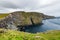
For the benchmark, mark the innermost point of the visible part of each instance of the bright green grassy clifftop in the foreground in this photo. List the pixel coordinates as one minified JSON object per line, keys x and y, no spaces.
{"x":17,"y":35}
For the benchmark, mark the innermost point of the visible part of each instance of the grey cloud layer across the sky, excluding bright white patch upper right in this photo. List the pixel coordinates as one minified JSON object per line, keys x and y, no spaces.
{"x":50,"y":9}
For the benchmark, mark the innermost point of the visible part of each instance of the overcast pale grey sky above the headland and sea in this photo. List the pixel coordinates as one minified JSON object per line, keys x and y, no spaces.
{"x":48,"y":7}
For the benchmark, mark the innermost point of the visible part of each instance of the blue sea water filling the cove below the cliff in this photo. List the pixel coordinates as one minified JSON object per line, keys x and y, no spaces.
{"x":49,"y":24}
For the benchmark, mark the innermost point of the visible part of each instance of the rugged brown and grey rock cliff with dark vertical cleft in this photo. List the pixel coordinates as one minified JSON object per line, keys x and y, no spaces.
{"x":21,"y":18}
